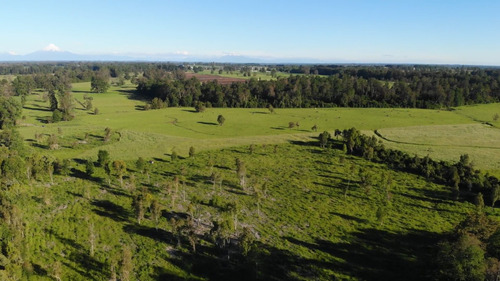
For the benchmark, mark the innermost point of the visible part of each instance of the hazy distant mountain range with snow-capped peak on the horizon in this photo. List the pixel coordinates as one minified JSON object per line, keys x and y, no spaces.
{"x":52,"y":54}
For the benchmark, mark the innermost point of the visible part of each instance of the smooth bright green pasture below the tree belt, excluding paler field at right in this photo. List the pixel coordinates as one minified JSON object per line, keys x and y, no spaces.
{"x":156,"y":132}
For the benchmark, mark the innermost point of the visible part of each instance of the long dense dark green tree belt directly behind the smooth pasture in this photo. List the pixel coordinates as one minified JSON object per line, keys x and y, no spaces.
{"x":420,"y":88}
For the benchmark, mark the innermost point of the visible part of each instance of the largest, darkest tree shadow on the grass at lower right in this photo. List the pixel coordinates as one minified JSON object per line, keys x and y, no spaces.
{"x":373,"y":254}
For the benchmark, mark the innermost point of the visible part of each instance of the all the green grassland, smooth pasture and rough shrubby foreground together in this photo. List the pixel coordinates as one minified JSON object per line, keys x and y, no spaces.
{"x":311,"y":214}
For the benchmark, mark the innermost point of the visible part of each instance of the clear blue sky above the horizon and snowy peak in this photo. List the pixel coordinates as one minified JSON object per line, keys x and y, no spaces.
{"x":402,"y":31}
